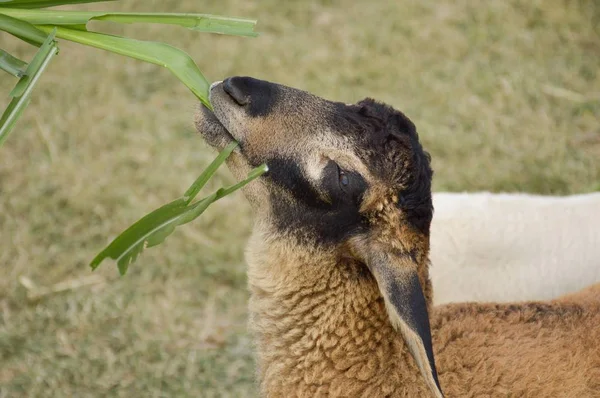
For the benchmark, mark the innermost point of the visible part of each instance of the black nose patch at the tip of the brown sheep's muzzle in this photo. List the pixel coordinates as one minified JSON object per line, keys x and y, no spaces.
{"x":258,"y":97}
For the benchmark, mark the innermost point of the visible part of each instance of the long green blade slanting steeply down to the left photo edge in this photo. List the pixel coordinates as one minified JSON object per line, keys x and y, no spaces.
{"x":25,"y":86}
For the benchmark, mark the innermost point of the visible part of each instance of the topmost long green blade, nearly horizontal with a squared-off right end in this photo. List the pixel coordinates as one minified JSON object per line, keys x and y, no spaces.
{"x":198,"y":22}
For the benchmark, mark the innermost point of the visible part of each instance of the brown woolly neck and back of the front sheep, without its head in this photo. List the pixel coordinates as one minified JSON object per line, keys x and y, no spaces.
{"x":322,"y":330}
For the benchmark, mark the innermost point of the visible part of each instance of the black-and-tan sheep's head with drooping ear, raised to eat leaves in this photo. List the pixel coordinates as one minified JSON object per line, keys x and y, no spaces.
{"x":349,"y":177}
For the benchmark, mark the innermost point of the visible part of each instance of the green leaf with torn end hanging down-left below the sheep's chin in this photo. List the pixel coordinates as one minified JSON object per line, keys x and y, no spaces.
{"x":155,"y":227}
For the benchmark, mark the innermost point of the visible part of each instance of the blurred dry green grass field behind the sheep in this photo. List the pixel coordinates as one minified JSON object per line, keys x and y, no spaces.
{"x":505,"y":94}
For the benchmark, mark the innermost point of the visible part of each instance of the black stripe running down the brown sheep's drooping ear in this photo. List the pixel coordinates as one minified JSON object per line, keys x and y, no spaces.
{"x":407,"y":298}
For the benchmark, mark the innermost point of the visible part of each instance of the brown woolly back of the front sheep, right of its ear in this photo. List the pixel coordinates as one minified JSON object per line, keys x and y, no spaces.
{"x":520,"y":350}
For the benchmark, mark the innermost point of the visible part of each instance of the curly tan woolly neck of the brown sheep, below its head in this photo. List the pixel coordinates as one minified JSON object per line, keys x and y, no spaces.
{"x":321,"y":326}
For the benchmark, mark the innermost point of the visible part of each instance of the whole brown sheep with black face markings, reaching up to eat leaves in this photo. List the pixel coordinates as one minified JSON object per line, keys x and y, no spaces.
{"x":338,"y":270}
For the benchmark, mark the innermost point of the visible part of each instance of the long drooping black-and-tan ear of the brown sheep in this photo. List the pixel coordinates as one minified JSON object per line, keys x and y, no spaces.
{"x":399,"y":284}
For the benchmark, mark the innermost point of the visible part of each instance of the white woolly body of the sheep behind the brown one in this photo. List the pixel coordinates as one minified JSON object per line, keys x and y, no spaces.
{"x":513,"y":247}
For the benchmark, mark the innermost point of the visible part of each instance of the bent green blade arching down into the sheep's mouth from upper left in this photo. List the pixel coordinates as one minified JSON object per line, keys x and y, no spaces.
{"x":177,"y":61}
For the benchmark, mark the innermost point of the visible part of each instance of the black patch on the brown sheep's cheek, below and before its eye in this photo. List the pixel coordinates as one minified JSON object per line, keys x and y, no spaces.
{"x":324,"y":219}
